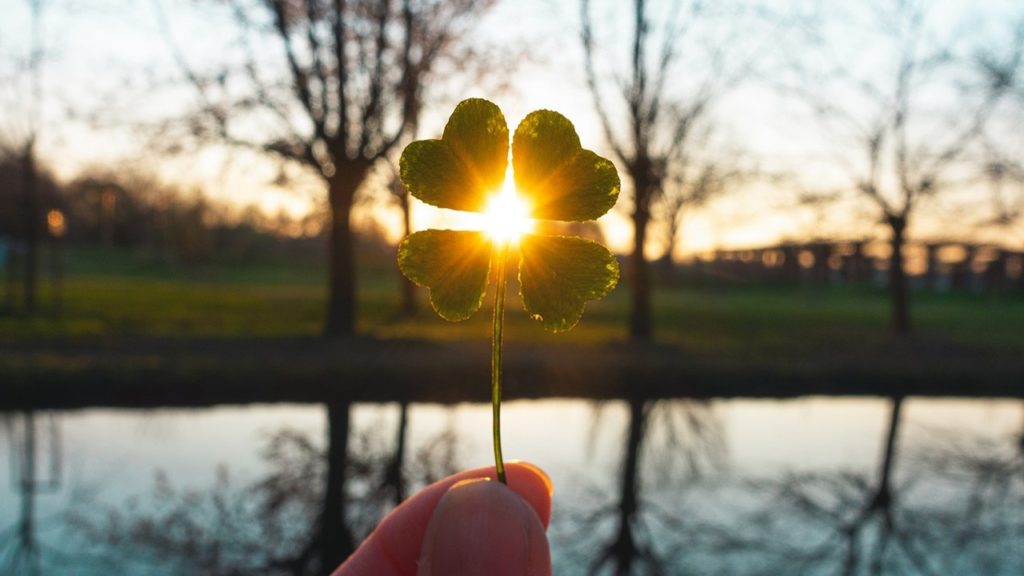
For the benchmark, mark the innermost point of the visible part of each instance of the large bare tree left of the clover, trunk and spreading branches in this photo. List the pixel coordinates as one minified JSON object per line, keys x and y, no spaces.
{"x":347,"y":93}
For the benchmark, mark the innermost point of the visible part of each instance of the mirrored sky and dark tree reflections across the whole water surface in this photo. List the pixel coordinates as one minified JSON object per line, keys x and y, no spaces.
{"x":668,"y":488}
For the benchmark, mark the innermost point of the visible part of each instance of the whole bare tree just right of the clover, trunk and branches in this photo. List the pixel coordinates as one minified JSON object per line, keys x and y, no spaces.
{"x":661,"y":117}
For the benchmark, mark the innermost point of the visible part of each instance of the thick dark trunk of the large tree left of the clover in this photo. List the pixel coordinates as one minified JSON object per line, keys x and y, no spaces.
{"x":342,"y":254}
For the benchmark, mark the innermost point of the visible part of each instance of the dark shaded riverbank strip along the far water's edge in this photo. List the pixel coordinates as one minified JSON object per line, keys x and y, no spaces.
{"x":161,"y":373}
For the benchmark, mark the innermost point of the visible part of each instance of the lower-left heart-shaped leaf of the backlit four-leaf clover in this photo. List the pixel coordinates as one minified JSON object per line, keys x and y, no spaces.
{"x":453,"y":265}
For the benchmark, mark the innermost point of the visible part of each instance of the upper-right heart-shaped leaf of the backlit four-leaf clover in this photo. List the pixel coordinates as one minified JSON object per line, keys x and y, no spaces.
{"x":560,"y":179}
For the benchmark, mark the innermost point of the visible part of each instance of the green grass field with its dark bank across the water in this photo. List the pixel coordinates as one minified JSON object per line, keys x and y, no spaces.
{"x":132,"y":332}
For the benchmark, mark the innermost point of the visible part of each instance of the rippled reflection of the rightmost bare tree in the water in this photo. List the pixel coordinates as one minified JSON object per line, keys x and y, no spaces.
{"x":958,"y":509}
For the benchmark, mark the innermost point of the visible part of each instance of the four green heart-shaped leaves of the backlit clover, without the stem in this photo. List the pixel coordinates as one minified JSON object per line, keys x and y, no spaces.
{"x":559,"y":179}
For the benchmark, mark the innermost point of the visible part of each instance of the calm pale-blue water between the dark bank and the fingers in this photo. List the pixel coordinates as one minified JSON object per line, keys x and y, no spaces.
{"x":731,"y":487}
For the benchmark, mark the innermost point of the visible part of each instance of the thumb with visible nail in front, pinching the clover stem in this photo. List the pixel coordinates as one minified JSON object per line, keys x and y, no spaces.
{"x":484,"y":528}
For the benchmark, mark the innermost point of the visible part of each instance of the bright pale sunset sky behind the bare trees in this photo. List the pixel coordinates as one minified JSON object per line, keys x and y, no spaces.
{"x":103,"y":59}
